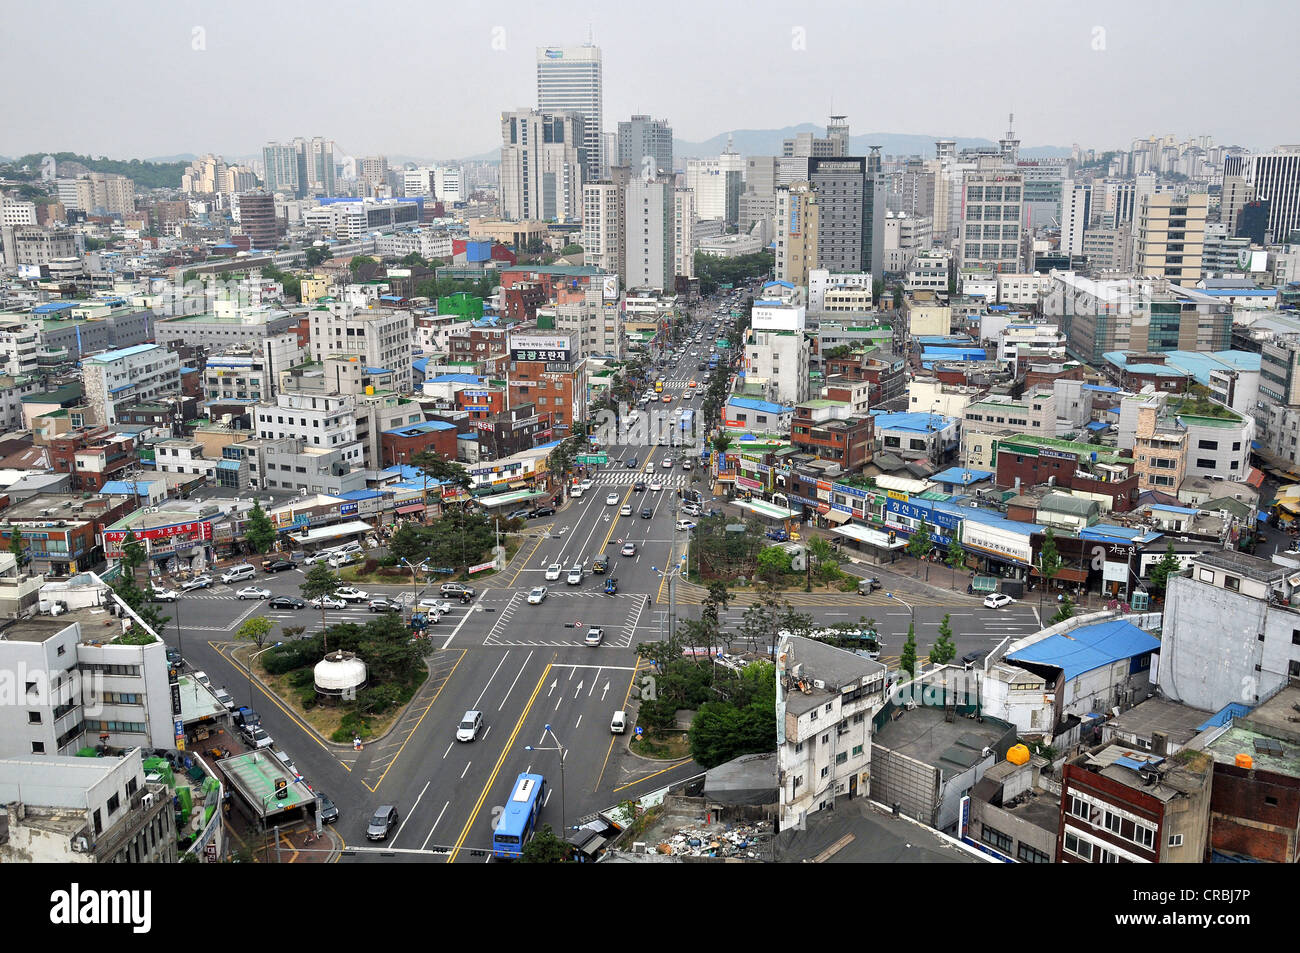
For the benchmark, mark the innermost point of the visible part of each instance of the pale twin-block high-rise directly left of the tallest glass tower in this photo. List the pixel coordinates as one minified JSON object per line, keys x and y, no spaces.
{"x":543,"y":162}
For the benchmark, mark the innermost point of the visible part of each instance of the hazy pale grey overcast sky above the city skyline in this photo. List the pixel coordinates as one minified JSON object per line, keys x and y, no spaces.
{"x":137,"y":79}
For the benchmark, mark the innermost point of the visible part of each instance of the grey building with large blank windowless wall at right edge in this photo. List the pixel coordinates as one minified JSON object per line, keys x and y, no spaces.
{"x":1229,"y":631}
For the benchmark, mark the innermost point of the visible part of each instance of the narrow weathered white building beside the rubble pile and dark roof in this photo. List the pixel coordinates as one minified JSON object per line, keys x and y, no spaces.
{"x":825,"y":704}
